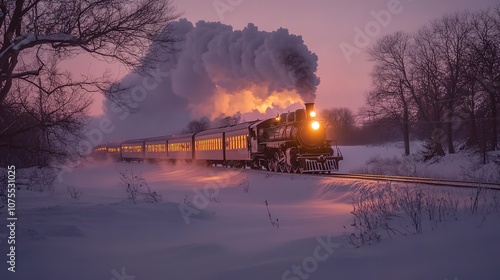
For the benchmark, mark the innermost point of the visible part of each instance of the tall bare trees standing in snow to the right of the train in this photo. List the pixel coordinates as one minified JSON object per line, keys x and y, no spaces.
{"x":441,"y":83}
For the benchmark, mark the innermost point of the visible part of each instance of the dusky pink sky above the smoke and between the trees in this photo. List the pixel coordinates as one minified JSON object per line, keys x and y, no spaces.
{"x":325,"y":26}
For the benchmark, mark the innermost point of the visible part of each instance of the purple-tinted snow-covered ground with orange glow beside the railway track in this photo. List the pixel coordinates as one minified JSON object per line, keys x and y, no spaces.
{"x":213,"y":223}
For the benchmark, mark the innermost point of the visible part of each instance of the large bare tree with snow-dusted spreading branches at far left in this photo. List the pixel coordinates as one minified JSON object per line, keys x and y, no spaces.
{"x":47,"y":105}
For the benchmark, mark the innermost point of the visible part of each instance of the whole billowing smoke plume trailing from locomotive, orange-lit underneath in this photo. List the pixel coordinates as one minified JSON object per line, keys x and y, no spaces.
{"x":220,"y":71}
